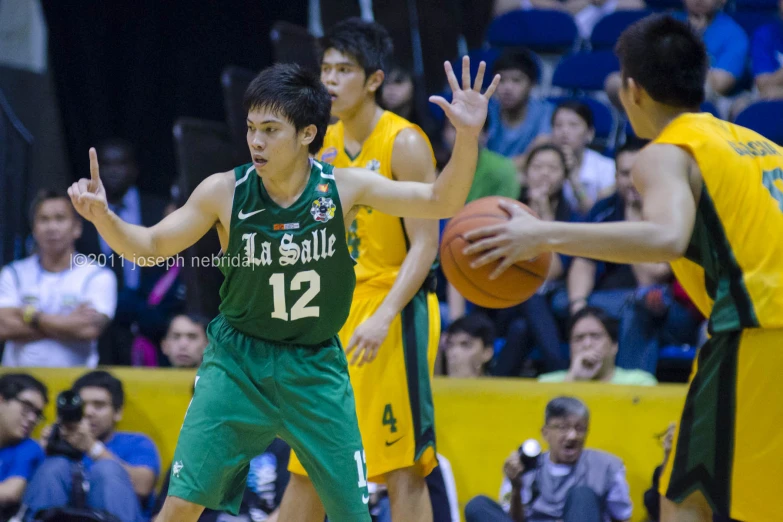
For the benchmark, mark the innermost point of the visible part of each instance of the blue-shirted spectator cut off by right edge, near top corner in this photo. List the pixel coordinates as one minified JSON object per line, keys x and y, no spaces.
{"x":767,"y":59}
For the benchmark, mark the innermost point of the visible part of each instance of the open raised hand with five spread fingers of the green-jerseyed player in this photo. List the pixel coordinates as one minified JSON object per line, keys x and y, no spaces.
{"x":468,"y":108}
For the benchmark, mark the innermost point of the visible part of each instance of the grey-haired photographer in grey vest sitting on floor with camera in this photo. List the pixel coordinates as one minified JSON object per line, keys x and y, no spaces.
{"x":568,"y":483}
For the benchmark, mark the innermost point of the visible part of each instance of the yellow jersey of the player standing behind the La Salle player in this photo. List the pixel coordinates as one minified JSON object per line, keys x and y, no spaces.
{"x":377,"y":242}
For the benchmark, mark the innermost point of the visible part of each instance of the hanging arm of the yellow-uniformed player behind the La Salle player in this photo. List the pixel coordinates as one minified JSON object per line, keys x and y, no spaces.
{"x":411,"y":161}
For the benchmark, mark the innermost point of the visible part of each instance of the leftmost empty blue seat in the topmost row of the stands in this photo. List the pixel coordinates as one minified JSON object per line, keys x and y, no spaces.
{"x":541,"y":30}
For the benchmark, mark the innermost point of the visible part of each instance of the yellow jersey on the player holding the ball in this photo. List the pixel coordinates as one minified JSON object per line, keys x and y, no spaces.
{"x":733,"y":267}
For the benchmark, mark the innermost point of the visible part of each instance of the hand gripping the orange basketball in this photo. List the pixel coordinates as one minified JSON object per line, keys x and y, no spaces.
{"x":518,"y":239}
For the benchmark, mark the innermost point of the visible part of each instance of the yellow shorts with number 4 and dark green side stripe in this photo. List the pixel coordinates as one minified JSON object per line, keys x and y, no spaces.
{"x":394,"y":393}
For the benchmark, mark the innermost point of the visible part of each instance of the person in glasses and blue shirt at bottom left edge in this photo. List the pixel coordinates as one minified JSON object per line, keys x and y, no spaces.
{"x":22,"y":400}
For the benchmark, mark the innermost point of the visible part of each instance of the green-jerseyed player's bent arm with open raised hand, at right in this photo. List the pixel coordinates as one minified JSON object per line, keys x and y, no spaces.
{"x":442,"y":199}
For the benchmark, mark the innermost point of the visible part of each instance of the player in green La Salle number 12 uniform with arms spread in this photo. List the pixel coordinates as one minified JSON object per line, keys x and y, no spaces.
{"x":274,"y":365}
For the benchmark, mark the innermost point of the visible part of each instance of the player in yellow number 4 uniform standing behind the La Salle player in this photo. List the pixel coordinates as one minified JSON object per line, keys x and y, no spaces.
{"x":391,"y":336}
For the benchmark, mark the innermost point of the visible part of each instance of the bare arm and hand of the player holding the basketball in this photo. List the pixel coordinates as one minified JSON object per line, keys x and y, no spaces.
{"x":661,"y":174}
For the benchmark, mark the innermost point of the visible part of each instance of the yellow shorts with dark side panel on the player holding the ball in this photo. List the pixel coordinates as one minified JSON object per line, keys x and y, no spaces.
{"x":729,"y":442}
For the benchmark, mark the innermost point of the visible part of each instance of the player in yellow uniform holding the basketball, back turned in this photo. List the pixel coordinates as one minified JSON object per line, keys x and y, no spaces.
{"x":712,"y":195}
